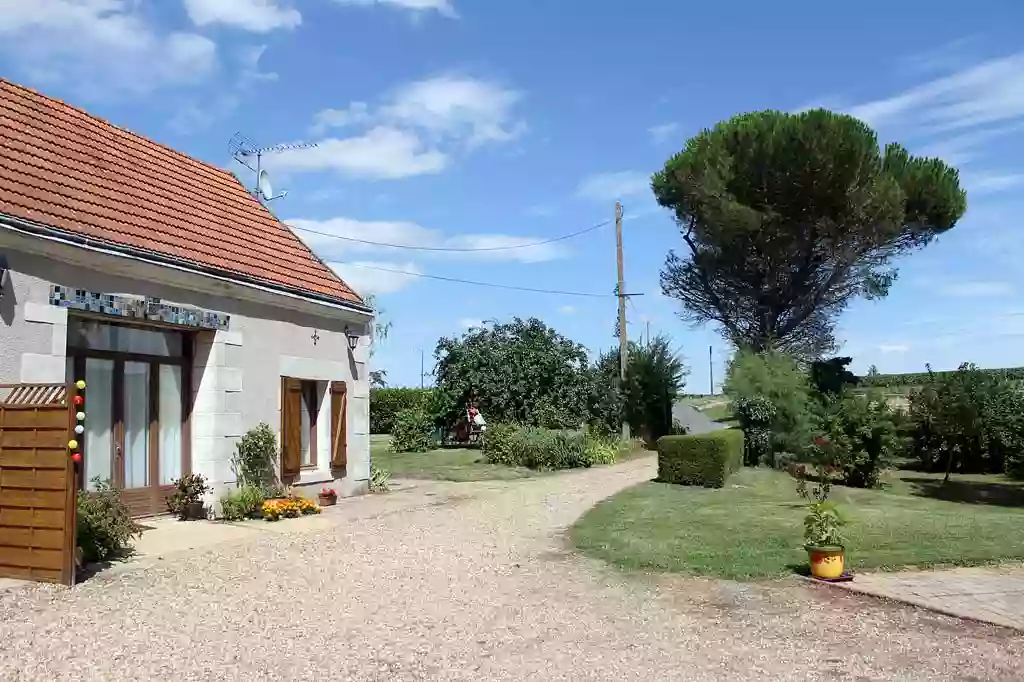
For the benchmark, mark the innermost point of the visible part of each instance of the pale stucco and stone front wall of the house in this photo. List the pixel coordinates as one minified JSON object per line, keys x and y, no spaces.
{"x":237,"y":373}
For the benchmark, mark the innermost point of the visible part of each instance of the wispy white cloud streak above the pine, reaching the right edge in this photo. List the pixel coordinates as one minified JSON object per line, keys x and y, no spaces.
{"x":985,"y":94}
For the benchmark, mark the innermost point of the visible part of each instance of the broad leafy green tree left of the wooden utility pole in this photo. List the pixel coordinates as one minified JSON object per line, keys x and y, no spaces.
{"x":522,"y":372}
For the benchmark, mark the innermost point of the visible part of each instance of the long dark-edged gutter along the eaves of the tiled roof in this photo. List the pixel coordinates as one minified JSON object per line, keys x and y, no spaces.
{"x":40,"y":231}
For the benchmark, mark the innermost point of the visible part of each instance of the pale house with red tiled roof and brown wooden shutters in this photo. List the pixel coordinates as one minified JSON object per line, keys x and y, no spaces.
{"x":190,"y":311}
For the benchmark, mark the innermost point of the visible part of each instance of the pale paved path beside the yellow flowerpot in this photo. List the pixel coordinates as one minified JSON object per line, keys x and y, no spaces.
{"x":992,"y":595}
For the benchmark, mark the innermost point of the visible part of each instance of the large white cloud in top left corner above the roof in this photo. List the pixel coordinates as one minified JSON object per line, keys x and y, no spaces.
{"x":101,"y":46}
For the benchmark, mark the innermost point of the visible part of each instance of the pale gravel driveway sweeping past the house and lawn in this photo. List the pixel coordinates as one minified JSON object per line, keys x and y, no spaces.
{"x":470,"y":582}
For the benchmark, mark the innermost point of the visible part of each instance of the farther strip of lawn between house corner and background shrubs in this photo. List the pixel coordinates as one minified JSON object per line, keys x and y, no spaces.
{"x":457,"y":464}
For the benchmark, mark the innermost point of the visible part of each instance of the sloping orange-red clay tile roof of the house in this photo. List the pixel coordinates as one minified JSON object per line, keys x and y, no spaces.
{"x":74,"y":173}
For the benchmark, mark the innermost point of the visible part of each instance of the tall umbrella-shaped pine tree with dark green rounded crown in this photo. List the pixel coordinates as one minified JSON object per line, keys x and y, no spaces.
{"x":789,"y":218}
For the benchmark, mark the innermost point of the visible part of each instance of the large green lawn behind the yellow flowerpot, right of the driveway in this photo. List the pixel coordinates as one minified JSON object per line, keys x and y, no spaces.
{"x":753,"y":528}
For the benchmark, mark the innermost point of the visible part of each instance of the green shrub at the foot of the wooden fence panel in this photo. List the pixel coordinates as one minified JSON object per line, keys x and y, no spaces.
{"x":105,"y":529}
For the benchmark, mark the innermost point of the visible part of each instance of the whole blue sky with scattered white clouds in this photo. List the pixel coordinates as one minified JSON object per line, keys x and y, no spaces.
{"x":485,"y":123}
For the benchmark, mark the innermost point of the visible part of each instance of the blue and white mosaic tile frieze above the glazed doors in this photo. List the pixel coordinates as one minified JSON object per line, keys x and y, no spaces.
{"x":152,"y":310}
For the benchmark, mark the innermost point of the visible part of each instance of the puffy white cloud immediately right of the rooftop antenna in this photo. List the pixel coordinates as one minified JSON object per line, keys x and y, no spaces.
{"x":382,"y":153}
